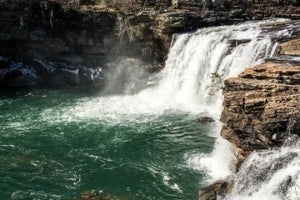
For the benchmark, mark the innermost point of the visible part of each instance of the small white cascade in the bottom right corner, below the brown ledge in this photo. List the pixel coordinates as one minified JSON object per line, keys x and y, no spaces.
{"x":270,"y":174}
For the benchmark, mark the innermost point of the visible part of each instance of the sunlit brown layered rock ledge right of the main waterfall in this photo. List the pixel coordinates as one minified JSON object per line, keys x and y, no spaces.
{"x":261,"y":106}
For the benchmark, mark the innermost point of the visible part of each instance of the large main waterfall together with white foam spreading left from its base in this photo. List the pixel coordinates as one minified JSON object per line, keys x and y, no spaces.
{"x":197,"y":65}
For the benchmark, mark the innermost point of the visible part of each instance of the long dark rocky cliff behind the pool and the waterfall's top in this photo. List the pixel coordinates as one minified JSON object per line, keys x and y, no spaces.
{"x":85,"y":35}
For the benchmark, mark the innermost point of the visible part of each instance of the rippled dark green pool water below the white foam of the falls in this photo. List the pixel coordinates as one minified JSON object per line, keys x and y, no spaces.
{"x":47,"y":152}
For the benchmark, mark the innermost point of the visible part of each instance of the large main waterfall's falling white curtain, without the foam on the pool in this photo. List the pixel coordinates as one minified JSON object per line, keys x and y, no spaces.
{"x":199,"y":62}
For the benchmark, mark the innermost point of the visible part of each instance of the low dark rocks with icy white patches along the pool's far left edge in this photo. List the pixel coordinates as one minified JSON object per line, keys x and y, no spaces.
{"x":49,"y":74}
